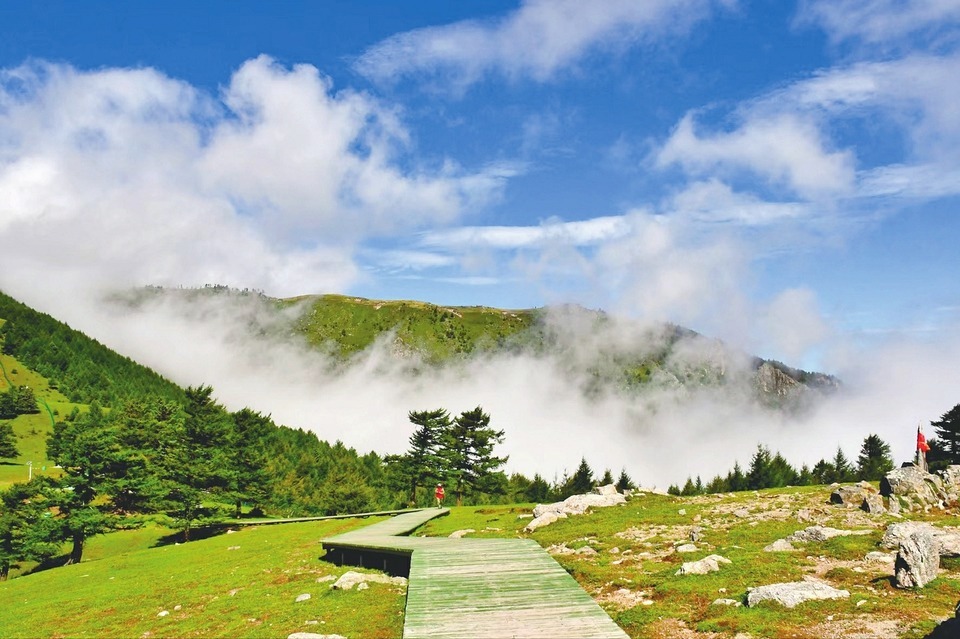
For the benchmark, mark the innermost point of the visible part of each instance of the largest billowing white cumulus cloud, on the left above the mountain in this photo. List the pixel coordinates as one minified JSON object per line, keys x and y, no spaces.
{"x":121,"y":177}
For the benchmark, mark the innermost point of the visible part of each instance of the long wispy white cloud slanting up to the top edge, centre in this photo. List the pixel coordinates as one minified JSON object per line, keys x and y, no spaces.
{"x":537,"y":40}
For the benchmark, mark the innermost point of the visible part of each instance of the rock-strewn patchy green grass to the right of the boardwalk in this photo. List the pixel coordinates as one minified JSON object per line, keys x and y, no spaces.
{"x":650,"y":526}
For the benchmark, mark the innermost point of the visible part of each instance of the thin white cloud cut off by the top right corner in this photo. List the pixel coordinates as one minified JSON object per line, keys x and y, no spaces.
{"x":883,"y":22}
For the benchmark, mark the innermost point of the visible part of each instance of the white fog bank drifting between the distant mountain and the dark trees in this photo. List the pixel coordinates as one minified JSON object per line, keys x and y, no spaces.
{"x":660,"y":435}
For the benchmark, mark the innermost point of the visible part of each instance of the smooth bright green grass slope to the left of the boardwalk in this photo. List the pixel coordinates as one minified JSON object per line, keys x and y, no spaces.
{"x":237,"y":585}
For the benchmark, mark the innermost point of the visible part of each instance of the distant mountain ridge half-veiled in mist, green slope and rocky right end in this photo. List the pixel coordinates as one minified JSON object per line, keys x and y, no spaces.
{"x":609,"y":352}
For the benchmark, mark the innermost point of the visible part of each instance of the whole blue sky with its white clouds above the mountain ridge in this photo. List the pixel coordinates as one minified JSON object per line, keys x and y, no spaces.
{"x":782,"y":175}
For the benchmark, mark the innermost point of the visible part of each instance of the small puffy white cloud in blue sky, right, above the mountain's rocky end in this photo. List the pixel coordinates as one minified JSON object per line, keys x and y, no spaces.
{"x":785,"y":150}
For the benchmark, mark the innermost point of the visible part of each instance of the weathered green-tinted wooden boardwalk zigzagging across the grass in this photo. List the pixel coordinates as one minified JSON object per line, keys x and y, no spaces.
{"x":479,"y":588}
